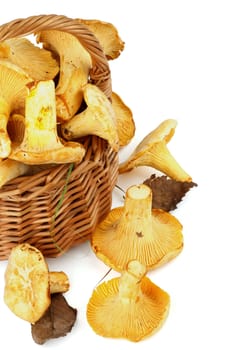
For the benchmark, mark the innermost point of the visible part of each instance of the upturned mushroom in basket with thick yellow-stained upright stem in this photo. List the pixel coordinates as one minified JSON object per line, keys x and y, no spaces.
{"x":41,"y":144}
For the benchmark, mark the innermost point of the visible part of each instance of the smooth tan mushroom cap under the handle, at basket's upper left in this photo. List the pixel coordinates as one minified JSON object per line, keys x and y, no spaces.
{"x":38,"y":63}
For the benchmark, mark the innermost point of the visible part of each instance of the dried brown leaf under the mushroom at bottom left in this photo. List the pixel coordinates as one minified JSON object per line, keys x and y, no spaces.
{"x":57,"y":321}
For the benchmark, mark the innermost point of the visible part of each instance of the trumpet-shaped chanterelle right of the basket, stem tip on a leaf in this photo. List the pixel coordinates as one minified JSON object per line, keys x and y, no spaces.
{"x":152,"y":151}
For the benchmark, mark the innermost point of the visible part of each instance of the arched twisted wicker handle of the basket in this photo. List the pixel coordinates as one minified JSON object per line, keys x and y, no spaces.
{"x":100,"y":73}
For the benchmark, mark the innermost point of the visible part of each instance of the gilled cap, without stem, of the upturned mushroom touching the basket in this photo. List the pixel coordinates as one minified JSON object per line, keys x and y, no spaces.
{"x":162,"y":243}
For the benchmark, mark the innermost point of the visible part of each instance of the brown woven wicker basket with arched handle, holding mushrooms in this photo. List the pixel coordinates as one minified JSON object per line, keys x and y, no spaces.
{"x":58,"y":208}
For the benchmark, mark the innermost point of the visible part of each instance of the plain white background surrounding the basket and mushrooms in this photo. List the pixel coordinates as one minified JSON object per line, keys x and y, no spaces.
{"x":182,"y":60}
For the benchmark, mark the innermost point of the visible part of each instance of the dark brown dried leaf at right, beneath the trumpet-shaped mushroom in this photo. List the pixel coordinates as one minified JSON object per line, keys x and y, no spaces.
{"x":167,"y":192}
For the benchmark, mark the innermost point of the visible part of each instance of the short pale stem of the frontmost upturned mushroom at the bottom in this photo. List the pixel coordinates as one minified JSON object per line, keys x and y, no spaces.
{"x":129,"y":284}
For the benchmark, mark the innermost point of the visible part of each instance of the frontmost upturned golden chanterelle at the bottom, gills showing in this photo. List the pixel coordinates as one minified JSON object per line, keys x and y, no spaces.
{"x":130,"y":307}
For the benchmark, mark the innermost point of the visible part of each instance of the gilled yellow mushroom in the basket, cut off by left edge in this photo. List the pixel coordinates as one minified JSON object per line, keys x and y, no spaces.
{"x":13,"y":92}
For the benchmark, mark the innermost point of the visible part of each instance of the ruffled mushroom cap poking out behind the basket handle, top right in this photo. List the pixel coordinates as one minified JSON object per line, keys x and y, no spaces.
{"x":107,"y":35}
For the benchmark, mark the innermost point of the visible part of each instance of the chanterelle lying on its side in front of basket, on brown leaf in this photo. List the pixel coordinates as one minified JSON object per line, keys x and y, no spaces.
{"x":28,"y":283}
